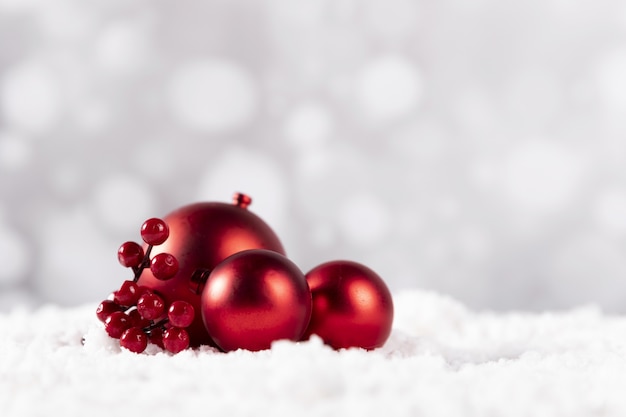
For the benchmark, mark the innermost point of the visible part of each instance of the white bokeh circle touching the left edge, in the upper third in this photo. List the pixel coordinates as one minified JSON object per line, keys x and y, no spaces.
{"x":30,"y":97}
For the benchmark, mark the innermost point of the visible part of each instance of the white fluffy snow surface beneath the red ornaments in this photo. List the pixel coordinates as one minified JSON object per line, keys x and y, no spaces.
{"x":442,"y":359}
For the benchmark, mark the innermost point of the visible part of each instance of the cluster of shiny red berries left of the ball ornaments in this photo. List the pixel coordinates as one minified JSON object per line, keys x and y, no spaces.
{"x":137,"y":315}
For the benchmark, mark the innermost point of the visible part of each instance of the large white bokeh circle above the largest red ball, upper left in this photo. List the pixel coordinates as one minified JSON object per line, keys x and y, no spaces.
{"x":212,"y":95}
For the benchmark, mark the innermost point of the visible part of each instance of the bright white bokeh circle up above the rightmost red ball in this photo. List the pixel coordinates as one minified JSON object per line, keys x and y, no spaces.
{"x":387,"y":88}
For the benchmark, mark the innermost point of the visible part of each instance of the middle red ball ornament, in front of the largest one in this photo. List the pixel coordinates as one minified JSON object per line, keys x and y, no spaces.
{"x":254,"y":298}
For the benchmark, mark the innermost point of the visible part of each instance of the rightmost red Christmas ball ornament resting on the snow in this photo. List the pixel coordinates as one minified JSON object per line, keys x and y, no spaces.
{"x":352,"y":306}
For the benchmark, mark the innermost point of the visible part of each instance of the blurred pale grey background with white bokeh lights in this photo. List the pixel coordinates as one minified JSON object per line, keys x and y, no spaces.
{"x":475,"y":148}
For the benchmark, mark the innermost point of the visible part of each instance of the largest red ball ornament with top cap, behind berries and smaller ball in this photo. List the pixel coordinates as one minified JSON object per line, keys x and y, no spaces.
{"x":202,"y":235}
